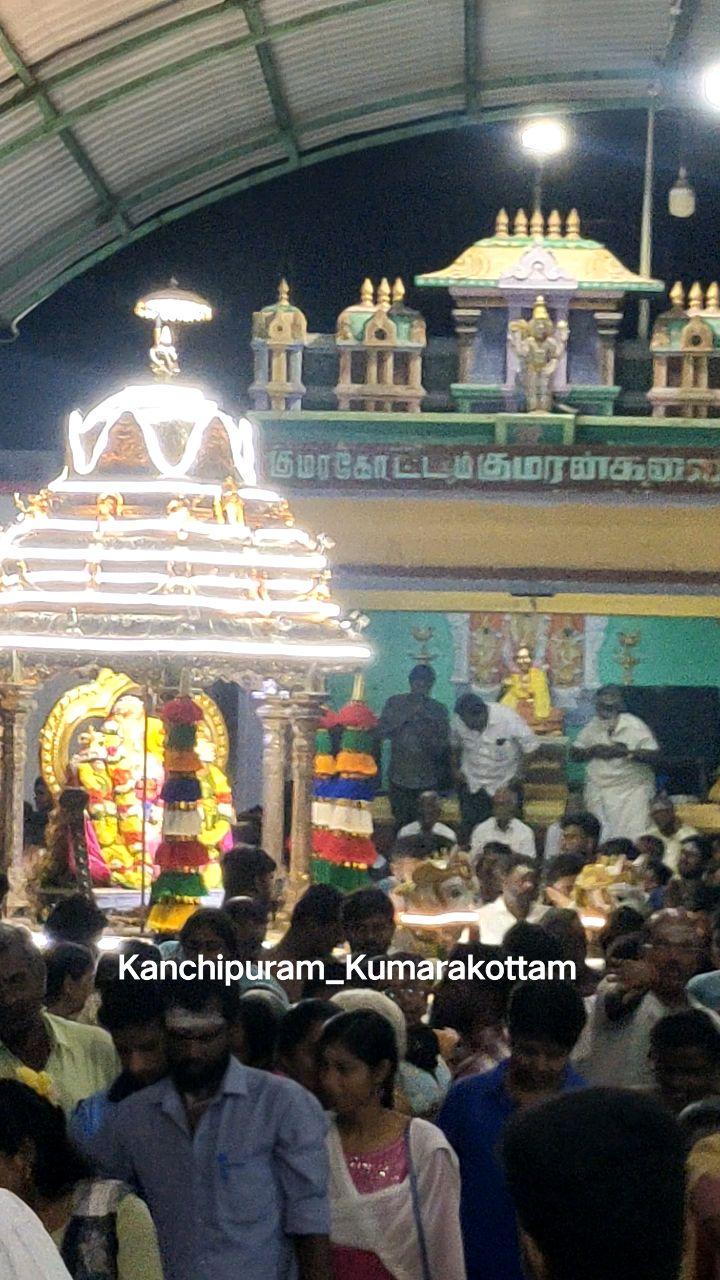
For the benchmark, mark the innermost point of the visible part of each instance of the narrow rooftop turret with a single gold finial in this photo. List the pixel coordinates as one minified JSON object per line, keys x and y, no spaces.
{"x":280,"y":335}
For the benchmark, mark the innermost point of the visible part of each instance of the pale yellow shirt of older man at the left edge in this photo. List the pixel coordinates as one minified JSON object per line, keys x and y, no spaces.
{"x":83,"y":1060}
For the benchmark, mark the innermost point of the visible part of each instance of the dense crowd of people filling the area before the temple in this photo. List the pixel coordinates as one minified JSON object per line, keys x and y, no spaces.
{"x":411,"y":1126}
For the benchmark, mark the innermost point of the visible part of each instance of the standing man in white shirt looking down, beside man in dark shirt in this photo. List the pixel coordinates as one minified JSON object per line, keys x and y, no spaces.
{"x":489,"y":744}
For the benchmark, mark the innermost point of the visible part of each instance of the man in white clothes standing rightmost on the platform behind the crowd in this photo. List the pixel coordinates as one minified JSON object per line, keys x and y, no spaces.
{"x":621,"y":752}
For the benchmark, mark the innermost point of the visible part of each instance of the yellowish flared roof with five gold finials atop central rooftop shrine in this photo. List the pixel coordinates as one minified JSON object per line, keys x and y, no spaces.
{"x":558,"y":253}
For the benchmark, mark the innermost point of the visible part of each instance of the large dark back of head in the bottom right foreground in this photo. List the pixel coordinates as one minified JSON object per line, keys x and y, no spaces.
{"x":598,"y":1178}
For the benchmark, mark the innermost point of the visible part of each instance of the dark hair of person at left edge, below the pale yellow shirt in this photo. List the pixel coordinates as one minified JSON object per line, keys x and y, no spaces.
{"x":28,"y":1118}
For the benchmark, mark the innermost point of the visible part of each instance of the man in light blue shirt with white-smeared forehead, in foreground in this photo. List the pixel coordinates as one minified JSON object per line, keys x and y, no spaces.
{"x":231,"y":1162}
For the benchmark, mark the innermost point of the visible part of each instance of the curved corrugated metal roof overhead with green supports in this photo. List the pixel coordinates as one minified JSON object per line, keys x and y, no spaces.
{"x":115,"y":111}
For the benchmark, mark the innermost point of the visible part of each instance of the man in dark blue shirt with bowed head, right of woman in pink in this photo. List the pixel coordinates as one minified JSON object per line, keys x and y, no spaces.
{"x":544,"y":1023}
